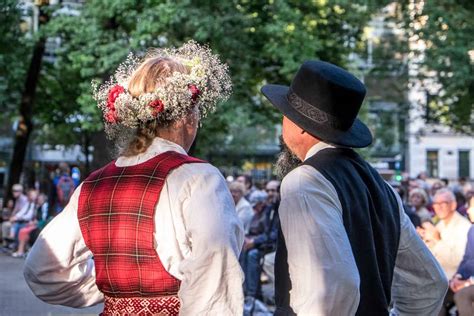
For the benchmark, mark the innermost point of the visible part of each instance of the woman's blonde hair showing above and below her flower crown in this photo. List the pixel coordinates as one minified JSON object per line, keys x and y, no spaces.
{"x":151,"y":74}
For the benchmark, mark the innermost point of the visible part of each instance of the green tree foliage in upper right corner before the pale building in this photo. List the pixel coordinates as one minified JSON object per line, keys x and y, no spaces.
{"x":446,"y":27}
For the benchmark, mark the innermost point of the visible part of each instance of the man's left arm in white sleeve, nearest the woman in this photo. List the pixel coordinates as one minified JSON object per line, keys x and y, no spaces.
{"x":323,"y":272}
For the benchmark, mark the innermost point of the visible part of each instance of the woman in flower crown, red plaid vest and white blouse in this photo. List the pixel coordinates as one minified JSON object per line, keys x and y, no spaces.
{"x":155,"y":231}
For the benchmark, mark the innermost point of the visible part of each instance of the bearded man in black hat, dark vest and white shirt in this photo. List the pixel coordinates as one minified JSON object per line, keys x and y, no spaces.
{"x":346,"y":246}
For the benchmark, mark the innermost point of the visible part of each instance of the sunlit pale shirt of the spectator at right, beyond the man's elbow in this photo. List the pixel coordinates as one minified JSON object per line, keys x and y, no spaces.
{"x":450,"y":249}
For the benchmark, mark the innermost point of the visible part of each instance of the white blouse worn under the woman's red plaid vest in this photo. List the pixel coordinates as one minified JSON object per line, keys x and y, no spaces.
{"x":199,"y":243}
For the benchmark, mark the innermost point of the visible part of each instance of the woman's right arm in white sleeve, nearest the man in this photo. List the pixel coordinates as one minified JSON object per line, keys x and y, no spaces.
{"x":212,"y":277}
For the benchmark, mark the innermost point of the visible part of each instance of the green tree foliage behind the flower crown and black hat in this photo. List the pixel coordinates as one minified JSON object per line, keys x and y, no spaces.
{"x":262,"y":41}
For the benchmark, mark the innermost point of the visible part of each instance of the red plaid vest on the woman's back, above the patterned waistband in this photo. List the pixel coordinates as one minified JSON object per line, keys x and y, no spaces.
{"x":116,"y":216}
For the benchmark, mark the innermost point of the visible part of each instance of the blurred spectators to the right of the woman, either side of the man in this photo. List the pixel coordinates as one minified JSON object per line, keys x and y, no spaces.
{"x":441,"y":213}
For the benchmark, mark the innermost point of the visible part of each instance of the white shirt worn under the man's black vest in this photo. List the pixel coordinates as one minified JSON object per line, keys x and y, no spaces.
{"x":323,"y":272}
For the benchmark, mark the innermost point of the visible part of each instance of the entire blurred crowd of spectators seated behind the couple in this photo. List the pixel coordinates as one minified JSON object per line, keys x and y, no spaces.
{"x":441,"y":213}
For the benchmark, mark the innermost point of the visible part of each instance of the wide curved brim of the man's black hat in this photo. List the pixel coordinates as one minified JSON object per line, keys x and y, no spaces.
{"x":357,"y":136}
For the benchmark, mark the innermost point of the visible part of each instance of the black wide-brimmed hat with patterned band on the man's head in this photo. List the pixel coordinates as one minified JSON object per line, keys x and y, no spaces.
{"x":324,"y":100}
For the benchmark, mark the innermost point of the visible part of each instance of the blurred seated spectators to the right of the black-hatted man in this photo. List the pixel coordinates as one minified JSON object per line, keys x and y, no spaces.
{"x":443,"y":215}
